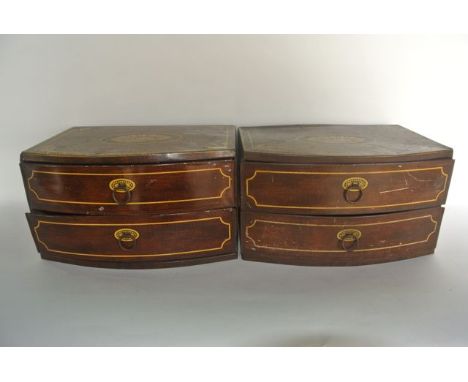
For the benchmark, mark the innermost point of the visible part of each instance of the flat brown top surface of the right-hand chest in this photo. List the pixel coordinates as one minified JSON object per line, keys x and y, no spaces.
{"x":338,"y":144}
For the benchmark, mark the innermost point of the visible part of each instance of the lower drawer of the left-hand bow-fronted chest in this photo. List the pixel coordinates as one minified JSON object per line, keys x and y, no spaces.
{"x":136,"y":241}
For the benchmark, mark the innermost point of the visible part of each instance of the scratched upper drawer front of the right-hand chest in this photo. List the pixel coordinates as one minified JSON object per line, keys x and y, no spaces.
{"x":345,"y":189}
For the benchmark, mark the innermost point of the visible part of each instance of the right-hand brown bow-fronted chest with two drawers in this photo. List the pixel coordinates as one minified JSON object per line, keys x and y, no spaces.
{"x":340,"y":194}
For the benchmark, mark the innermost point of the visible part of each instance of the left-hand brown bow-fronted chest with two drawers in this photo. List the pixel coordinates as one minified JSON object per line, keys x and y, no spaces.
{"x":134,"y":197}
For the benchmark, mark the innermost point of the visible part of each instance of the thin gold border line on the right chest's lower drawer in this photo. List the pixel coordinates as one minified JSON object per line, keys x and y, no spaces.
{"x":342,"y":226}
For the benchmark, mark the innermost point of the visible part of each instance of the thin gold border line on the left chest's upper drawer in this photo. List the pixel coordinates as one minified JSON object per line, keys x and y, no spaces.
{"x":127,"y":174}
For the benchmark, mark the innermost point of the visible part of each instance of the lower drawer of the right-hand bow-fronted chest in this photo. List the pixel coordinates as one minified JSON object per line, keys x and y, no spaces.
{"x":340,"y":240}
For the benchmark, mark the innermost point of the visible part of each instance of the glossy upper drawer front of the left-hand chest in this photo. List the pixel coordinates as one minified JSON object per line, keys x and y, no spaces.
{"x":130,"y":189}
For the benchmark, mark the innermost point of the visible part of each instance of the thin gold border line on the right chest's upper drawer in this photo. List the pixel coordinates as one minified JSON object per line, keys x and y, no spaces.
{"x":344,"y":173}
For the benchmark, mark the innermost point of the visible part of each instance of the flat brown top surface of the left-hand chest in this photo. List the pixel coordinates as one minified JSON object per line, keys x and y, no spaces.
{"x":135,"y":144}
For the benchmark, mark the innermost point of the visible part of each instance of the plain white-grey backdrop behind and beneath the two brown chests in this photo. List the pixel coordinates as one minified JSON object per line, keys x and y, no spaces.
{"x":49,"y":83}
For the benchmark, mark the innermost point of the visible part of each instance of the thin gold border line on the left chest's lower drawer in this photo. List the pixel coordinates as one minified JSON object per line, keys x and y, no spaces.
{"x":39,"y":222}
